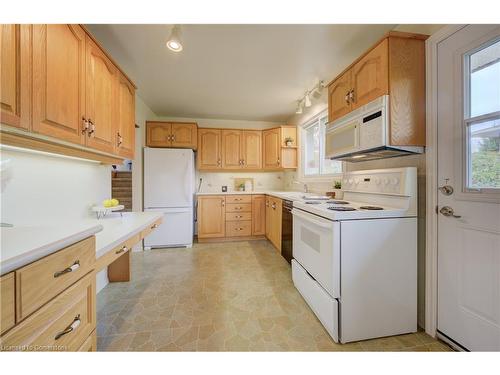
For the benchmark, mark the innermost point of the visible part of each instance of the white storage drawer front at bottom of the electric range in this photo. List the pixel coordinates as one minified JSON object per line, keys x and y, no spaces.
{"x":324,"y":306}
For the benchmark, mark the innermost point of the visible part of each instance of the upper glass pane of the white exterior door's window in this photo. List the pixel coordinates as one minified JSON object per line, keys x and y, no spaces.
{"x":485,"y":80}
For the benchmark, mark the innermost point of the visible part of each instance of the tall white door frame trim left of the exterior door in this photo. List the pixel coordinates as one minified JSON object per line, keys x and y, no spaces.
{"x":431,"y":274}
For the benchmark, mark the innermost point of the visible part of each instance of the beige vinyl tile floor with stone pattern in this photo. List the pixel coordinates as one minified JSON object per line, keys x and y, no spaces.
{"x":233,"y":296}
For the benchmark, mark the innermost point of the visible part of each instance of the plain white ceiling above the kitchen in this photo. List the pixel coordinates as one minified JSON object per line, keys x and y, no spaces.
{"x":239,"y":72}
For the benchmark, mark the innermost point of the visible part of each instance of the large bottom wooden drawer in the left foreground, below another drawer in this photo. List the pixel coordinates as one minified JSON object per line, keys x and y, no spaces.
{"x":49,"y":329}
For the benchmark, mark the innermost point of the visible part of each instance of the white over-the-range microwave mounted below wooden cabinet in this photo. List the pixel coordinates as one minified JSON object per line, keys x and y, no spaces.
{"x":363,"y":135}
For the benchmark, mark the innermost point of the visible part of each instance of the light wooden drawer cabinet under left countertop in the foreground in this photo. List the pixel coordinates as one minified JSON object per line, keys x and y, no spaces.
{"x":50,"y":304}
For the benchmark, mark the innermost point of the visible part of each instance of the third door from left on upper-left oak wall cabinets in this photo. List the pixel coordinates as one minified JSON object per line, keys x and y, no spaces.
{"x":100,"y":98}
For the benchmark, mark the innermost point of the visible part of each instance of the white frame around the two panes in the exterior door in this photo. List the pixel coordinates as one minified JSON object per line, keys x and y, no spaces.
{"x":468,"y":121}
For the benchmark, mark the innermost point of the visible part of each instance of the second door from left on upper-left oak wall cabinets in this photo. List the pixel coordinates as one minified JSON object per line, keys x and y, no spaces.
{"x":59,"y":81}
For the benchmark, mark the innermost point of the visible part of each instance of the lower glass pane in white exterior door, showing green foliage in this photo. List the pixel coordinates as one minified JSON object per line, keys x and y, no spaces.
{"x":484,"y":154}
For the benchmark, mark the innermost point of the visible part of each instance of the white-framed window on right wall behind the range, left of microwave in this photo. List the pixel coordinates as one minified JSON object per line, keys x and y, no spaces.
{"x":313,"y":159}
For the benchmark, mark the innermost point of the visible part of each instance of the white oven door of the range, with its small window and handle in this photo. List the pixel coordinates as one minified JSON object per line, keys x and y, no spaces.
{"x":316,"y":246}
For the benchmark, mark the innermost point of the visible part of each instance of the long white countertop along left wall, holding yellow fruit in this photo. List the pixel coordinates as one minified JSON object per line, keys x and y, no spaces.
{"x":24,"y":244}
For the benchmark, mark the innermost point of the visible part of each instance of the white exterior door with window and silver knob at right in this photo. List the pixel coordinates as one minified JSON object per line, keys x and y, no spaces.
{"x":468,"y":209}
